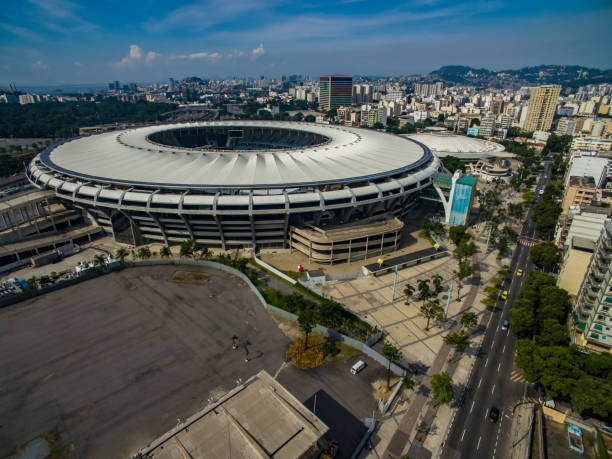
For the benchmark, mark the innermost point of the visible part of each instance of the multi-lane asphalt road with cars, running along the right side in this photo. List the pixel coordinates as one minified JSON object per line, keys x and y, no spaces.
{"x":494,"y":381}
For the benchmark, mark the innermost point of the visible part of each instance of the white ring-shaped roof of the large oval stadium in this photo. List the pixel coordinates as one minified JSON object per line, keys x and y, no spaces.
{"x":128,"y":157}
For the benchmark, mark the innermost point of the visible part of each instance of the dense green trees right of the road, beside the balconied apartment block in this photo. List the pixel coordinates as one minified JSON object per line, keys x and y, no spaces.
{"x":564,"y":371}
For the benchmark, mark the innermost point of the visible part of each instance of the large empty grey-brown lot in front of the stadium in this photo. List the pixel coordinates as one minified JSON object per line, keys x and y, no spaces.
{"x":113,"y":362}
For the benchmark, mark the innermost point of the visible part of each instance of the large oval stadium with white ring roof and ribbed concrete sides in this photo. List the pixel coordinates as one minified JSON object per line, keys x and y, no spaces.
{"x":333,"y":192}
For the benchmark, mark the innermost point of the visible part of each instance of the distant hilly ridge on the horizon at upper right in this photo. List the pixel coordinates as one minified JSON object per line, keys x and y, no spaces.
{"x":566,"y":75}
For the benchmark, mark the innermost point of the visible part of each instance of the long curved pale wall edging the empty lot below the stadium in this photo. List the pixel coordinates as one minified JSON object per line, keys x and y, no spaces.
{"x":117,"y":266}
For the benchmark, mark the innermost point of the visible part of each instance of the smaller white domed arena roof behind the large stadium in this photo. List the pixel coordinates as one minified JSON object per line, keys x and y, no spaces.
{"x":446,"y":144}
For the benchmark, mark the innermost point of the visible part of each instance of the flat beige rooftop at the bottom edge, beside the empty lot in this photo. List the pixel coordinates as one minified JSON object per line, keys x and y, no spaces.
{"x":257,"y":419}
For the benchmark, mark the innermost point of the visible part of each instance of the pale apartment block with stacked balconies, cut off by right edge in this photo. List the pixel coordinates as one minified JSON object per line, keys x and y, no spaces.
{"x":592,"y":313}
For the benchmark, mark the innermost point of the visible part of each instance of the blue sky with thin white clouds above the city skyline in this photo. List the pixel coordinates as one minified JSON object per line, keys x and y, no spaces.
{"x":45,"y":42}
